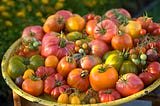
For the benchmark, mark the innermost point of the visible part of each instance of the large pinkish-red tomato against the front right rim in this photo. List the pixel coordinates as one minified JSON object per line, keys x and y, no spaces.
{"x":129,"y":84}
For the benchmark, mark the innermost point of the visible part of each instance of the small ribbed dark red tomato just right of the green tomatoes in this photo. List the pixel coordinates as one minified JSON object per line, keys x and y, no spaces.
{"x":44,"y":72}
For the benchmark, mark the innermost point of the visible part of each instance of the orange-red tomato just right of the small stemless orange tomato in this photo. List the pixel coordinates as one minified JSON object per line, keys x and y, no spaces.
{"x":65,"y":65}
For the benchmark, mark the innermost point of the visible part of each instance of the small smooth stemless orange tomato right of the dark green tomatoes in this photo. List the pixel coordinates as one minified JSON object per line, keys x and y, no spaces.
{"x":51,"y":61}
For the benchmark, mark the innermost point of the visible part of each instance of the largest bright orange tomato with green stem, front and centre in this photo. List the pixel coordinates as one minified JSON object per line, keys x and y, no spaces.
{"x":103,"y":77}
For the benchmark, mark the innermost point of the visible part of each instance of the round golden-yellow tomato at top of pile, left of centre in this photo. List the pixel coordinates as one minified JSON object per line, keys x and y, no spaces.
{"x":75,"y":23}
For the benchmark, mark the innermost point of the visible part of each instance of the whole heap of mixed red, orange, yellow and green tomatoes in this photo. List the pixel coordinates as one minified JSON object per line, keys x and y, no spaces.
{"x":89,"y":59}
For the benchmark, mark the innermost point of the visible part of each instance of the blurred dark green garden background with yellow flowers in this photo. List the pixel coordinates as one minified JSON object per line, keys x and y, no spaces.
{"x":15,"y":15}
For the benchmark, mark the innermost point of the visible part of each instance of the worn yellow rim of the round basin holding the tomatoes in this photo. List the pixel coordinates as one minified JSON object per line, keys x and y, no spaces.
{"x":42,"y":100}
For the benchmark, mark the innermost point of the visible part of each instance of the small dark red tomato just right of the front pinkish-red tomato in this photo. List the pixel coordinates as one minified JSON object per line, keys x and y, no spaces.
{"x":147,"y":77}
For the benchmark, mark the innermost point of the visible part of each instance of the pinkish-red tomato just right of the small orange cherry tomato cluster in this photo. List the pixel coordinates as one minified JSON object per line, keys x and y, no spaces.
{"x":96,"y":47}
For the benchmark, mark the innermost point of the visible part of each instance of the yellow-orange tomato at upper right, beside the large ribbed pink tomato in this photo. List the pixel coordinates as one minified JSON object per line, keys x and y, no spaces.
{"x":133,"y":28}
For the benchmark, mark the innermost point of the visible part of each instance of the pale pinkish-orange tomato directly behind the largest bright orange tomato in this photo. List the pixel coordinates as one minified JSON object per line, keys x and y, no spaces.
{"x":89,"y":61}
